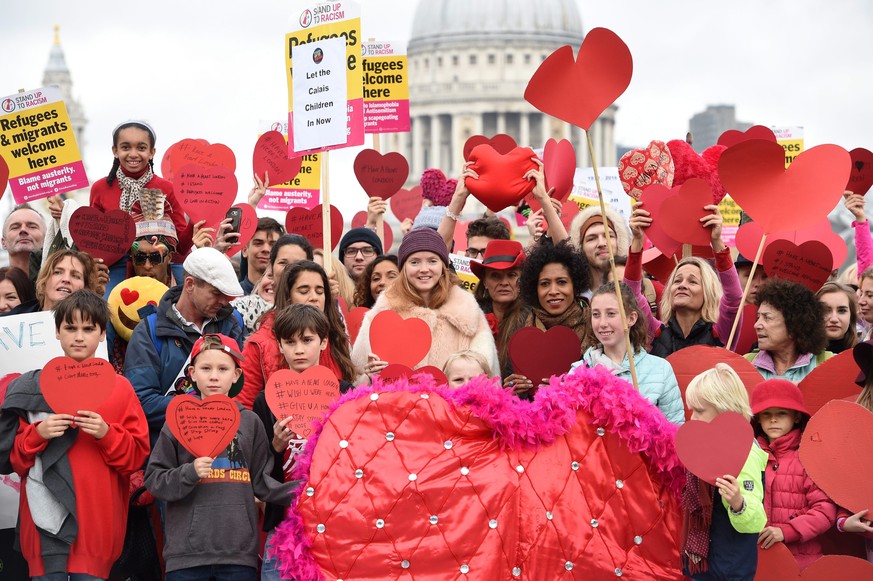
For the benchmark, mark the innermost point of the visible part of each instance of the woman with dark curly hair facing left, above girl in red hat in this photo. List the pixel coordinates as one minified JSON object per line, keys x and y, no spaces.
{"x":790,"y":329}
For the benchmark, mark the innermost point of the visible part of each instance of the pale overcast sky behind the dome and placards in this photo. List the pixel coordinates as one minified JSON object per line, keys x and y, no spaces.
{"x":212,"y":69}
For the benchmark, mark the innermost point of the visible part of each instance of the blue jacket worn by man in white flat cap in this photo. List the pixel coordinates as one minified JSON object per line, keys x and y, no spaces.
{"x":152,"y":374}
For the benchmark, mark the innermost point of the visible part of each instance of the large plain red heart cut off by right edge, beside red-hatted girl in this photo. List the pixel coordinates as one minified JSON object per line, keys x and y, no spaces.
{"x":835,"y":451}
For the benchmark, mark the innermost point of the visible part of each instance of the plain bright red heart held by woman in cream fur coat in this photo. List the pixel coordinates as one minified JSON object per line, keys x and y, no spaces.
{"x":397,"y":340}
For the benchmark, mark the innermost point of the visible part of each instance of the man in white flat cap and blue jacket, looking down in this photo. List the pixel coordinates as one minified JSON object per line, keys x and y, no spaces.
{"x":161,"y":344}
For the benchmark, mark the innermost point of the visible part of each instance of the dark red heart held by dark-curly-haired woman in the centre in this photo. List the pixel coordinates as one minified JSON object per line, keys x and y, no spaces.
{"x":538,"y":355}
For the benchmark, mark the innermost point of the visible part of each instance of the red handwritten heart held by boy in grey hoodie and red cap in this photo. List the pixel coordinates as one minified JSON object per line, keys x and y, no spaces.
{"x":204,"y":427}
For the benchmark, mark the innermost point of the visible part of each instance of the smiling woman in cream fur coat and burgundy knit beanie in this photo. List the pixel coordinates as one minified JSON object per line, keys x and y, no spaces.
{"x":426,"y":289}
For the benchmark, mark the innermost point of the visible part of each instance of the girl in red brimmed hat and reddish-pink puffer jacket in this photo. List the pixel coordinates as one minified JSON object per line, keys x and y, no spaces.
{"x":797,"y":510}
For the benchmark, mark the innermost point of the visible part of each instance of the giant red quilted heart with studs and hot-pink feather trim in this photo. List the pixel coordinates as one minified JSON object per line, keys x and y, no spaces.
{"x":405,"y":481}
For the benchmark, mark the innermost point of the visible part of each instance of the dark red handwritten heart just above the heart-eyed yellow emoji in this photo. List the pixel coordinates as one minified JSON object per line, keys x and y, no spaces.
{"x":102,"y":235}
